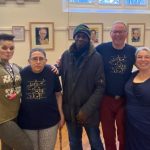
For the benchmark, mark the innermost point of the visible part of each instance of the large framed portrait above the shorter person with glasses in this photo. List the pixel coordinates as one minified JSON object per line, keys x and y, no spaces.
{"x":42,"y":35}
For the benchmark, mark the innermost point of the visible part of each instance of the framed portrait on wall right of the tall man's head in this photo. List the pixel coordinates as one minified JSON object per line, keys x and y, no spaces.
{"x":136,"y":34}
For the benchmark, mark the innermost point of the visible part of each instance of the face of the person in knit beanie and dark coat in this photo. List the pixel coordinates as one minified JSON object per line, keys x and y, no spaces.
{"x":81,"y":40}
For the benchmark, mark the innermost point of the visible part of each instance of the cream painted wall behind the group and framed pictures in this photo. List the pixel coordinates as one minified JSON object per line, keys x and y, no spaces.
{"x":12,"y":14}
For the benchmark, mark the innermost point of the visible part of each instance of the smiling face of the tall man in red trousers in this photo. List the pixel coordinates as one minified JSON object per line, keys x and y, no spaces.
{"x":118,"y":34}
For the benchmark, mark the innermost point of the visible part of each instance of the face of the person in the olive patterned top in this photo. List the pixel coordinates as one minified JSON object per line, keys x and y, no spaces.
{"x":6,"y":50}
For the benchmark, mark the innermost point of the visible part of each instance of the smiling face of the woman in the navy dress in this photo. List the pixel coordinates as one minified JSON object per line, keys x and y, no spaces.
{"x":143,"y":60}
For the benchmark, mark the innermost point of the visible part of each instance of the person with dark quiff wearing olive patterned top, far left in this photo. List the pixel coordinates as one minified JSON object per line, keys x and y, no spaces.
{"x":11,"y":134}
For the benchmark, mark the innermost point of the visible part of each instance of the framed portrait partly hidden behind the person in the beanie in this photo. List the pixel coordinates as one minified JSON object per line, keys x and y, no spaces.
{"x":96,"y":32}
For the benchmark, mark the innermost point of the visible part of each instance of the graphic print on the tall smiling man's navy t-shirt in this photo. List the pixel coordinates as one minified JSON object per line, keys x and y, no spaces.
{"x":118,"y":64}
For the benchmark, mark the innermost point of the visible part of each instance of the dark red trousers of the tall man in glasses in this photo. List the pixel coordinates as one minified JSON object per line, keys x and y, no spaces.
{"x":113,"y":121}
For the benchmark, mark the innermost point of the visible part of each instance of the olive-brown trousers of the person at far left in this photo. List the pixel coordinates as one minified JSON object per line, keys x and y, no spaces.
{"x":13,"y":137}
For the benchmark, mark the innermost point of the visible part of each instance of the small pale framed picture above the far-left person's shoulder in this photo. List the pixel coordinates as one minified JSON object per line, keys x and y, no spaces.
{"x":19,"y":33}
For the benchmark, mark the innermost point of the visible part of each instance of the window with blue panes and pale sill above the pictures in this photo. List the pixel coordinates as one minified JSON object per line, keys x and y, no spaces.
{"x":107,"y":6}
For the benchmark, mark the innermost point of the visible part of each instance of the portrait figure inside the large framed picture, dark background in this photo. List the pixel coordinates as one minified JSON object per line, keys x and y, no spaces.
{"x":42,"y":37}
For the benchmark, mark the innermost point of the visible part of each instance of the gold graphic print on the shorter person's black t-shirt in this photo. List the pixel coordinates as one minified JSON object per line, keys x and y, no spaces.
{"x":36,"y":89}
